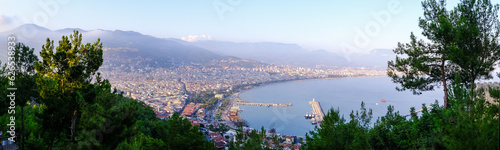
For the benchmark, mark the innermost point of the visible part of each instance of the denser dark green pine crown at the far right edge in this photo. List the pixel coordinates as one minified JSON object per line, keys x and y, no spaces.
{"x":477,"y":48}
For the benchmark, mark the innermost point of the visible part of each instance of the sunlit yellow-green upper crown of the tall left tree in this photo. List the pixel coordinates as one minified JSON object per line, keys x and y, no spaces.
{"x":72,"y":65}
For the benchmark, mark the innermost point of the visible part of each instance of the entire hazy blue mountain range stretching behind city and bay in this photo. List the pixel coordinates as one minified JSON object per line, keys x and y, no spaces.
{"x":171,"y":52}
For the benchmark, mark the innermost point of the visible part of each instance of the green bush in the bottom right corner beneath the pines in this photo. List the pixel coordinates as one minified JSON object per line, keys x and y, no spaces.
{"x":470,"y":124}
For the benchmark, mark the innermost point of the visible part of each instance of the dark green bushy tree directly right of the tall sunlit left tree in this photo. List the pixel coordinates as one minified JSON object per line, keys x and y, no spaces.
{"x":108,"y":120}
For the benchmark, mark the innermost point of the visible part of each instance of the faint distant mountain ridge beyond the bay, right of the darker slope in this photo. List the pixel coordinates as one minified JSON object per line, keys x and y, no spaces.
{"x":293,"y":54}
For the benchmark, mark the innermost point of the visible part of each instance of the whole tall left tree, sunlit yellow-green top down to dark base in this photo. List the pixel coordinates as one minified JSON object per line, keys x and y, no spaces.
{"x":64,"y":83}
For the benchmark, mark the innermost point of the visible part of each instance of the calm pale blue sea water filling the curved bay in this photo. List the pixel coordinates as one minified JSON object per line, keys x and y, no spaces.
{"x":345,"y":94}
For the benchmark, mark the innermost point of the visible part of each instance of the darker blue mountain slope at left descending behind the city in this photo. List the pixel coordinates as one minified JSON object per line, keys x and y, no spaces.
{"x":118,"y":43}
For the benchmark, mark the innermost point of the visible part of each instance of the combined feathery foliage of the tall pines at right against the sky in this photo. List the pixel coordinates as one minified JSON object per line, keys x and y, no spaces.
{"x":463,"y":40}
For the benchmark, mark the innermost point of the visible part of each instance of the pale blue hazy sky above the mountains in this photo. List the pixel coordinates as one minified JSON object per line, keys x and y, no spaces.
{"x":332,"y":25}
